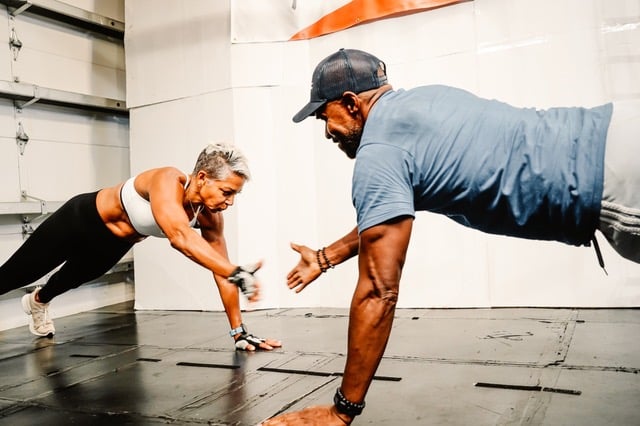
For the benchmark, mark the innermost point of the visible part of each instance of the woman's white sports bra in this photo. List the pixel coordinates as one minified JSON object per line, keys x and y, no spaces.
{"x":139,"y":210}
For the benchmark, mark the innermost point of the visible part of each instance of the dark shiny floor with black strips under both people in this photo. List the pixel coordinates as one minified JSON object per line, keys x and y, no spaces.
{"x":442,"y":367}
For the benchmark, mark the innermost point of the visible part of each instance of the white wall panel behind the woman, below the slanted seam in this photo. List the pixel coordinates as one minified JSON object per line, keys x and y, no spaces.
{"x":165,"y":279}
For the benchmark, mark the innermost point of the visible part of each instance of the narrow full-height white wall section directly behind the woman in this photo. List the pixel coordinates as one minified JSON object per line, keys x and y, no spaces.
{"x":180,"y":98}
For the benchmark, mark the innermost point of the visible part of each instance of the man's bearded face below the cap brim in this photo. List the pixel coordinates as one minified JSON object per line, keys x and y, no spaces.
{"x":341,"y":127}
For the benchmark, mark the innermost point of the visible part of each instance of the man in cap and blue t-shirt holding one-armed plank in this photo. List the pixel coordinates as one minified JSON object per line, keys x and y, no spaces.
{"x":520,"y":172}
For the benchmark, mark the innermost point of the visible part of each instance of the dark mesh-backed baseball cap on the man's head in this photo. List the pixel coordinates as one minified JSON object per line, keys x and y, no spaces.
{"x":345,"y":70}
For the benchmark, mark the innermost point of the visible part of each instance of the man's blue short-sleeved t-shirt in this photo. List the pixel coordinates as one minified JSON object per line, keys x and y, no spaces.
{"x":512,"y":171}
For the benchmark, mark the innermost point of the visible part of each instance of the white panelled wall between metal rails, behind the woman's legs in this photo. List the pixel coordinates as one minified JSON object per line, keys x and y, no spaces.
{"x":69,"y":150}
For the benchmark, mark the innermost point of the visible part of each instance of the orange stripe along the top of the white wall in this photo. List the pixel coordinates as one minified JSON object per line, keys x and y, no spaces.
{"x":359,"y":12}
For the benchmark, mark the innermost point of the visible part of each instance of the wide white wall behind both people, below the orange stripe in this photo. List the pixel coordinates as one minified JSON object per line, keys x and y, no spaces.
{"x":188,"y":85}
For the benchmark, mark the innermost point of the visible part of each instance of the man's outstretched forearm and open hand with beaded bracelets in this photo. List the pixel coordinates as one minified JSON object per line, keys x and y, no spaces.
{"x":309,"y":265}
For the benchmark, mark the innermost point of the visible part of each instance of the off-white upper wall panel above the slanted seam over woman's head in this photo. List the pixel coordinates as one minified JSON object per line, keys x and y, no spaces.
{"x":175,"y":49}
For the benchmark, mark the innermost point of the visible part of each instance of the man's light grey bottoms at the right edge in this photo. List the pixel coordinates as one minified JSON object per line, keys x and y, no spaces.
{"x":620,"y":214}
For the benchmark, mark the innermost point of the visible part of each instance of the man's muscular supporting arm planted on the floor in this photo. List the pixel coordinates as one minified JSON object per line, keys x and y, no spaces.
{"x":382,"y":254}
